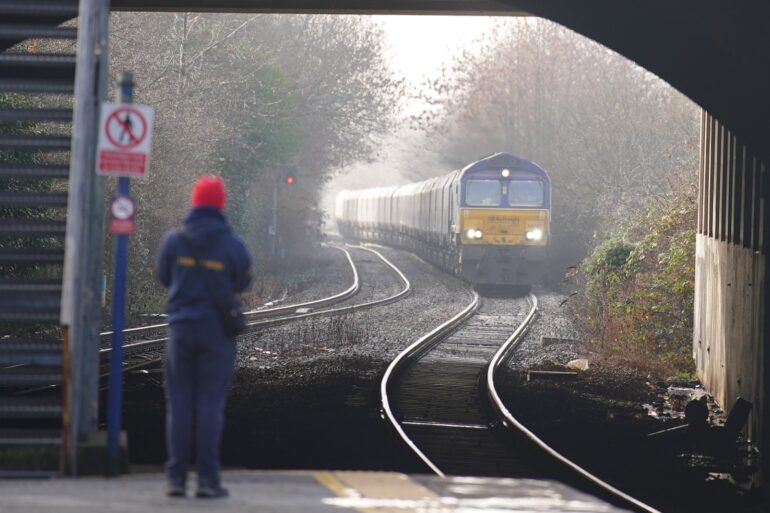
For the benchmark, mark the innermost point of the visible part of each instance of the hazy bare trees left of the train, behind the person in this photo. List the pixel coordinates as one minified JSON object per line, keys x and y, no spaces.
{"x":245,"y":97}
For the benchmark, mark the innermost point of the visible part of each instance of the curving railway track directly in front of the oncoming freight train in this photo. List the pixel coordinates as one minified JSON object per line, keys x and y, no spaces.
{"x":440,"y":396}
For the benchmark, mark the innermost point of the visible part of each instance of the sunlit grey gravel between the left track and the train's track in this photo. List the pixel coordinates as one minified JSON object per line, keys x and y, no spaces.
{"x":379,"y":333}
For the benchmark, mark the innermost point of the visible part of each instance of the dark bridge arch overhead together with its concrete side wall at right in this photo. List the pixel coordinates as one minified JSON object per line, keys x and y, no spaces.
{"x":717,"y":53}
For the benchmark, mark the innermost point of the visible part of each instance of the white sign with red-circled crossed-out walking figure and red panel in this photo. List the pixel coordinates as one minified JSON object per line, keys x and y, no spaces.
{"x":125,"y":136}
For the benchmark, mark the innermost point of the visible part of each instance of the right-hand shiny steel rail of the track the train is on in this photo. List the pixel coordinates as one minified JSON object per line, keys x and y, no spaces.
{"x":510,"y":421}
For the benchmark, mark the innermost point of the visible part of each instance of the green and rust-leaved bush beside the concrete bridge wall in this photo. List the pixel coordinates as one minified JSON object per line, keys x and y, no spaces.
{"x":639,"y":297}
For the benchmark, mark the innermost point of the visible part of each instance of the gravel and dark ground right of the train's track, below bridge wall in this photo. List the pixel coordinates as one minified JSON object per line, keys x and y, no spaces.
{"x":601,"y":418}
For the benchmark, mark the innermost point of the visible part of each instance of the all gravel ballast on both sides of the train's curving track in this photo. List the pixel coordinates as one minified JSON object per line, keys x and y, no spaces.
{"x":306,"y":394}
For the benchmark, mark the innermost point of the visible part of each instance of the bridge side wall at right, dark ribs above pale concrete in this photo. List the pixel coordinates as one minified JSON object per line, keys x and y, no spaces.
{"x":731,"y":338}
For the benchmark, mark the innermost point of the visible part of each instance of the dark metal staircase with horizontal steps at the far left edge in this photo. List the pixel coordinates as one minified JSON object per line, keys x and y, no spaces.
{"x":37,"y":76}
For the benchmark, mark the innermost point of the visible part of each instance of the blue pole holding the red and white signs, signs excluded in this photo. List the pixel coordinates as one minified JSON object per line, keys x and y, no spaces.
{"x":115,"y":395}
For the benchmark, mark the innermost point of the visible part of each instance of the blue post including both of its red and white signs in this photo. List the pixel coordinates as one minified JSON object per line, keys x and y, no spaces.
{"x":123,"y":151}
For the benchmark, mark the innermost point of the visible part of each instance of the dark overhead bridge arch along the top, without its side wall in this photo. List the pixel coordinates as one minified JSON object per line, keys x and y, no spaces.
{"x":714,"y":51}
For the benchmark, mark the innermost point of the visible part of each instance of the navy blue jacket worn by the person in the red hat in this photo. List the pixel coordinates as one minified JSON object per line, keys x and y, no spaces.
{"x":224,"y":258}
